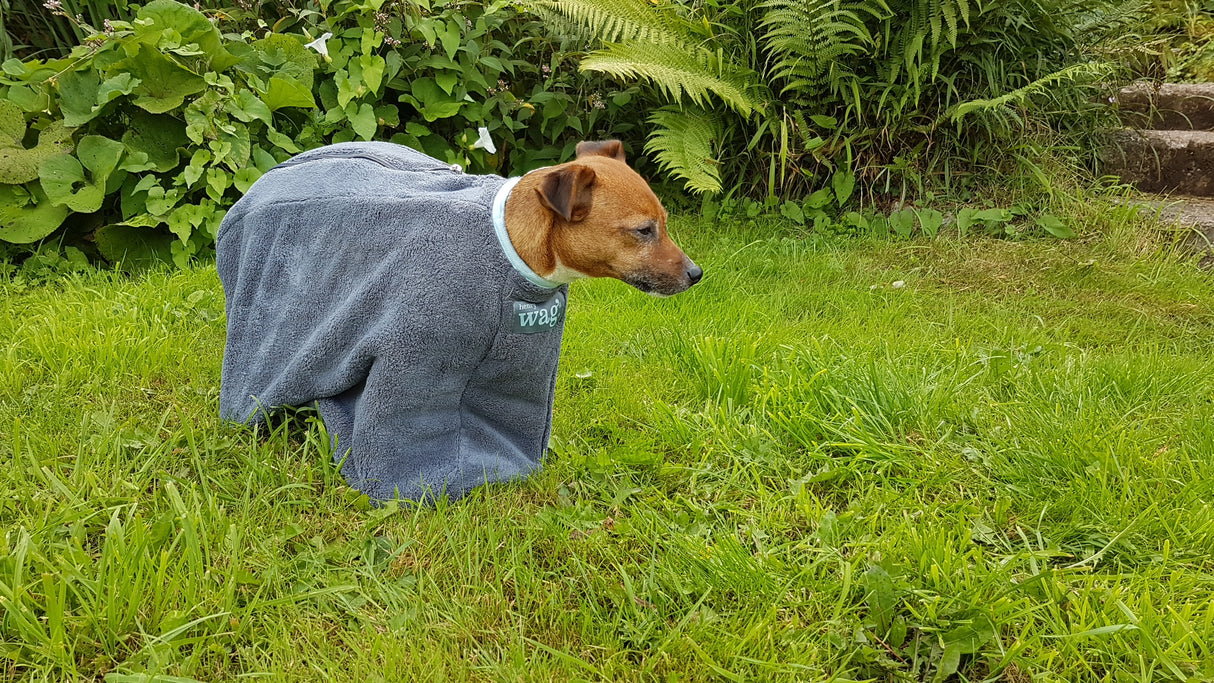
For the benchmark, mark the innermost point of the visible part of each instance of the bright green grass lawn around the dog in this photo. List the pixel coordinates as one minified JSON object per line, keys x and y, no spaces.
{"x":797,"y":471}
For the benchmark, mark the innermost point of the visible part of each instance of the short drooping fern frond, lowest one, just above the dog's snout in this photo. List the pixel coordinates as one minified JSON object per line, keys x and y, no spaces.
{"x":684,"y":145}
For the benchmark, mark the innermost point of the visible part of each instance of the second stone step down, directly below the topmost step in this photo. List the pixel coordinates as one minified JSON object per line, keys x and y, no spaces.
{"x":1162,"y":161}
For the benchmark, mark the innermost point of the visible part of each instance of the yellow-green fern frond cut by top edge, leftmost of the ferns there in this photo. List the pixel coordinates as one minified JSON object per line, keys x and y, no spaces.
{"x":621,"y":21}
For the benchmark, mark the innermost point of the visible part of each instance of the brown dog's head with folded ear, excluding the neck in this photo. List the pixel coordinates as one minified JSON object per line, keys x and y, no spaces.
{"x":609,"y":224}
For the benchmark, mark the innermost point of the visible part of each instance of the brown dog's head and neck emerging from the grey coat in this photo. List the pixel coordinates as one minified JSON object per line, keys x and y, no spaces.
{"x":597,"y":218}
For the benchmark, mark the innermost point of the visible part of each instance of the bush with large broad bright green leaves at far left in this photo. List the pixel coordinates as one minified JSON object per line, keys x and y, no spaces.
{"x":114,"y":119}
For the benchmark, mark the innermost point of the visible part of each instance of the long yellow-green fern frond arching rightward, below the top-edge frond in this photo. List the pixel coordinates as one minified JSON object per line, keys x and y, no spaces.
{"x":680,"y":72}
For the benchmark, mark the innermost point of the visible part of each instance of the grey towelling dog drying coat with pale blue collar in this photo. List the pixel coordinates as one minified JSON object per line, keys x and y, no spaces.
{"x":370,"y":280}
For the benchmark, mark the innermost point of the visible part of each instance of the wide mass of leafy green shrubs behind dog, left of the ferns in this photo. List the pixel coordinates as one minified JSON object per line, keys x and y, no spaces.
{"x":135,"y":145}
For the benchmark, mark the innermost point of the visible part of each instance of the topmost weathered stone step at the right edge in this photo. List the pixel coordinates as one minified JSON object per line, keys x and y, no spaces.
{"x":1170,"y":106}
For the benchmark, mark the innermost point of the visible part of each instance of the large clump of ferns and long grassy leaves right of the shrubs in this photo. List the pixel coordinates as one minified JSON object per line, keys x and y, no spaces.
{"x":773,"y":96}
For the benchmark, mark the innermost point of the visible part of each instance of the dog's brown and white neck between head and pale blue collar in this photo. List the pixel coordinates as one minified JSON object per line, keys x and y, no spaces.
{"x":530,"y":226}
